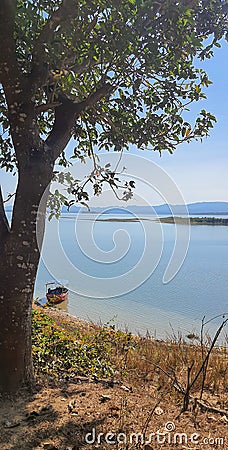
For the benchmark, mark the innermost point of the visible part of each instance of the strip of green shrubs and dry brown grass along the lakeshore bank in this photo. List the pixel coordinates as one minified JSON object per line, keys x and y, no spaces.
{"x":63,"y":349}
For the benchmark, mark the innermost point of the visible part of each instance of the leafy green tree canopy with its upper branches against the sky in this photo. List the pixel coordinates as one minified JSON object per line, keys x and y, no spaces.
{"x":123,"y":70}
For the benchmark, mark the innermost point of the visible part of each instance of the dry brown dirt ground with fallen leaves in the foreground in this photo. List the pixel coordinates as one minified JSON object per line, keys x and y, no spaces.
{"x":105,"y":415}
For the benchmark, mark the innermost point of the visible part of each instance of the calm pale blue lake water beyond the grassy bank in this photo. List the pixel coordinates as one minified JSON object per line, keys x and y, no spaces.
{"x":127,"y":260}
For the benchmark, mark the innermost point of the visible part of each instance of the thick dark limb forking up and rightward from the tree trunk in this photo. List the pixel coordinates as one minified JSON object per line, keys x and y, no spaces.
{"x":65,"y":116}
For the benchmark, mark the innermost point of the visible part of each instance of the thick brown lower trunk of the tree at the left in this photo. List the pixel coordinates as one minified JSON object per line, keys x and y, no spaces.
{"x":18,"y":266}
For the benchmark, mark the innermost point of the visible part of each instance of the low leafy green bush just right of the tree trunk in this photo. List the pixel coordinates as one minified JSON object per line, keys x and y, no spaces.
{"x":60,"y":354}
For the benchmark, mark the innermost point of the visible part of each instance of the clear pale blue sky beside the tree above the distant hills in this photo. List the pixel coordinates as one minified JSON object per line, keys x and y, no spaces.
{"x":200,"y":170}
